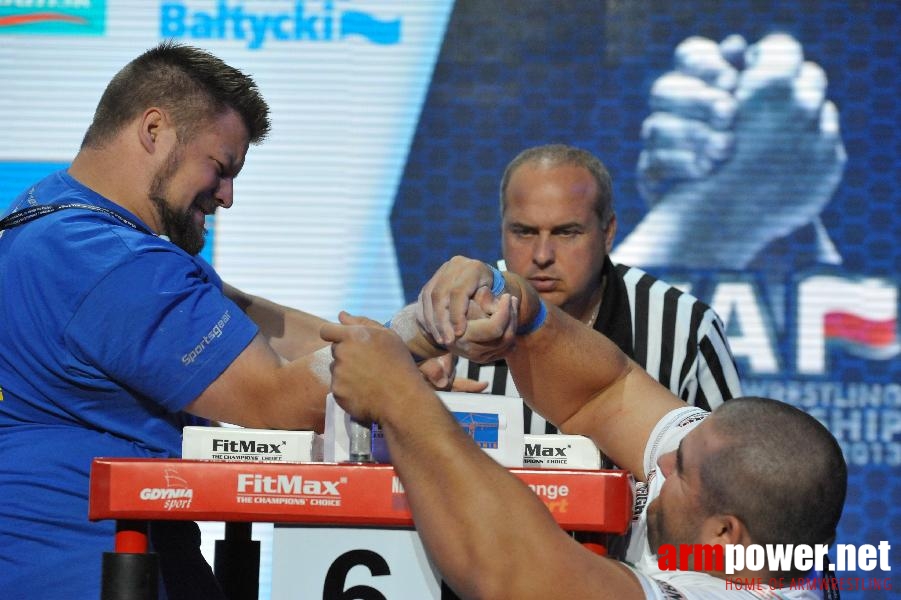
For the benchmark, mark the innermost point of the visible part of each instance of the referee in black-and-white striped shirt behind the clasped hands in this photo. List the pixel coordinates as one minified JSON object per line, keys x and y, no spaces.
{"x":558,"y":226}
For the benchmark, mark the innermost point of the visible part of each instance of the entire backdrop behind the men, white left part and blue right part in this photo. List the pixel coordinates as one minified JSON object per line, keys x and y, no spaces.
{"x":393,"y":122}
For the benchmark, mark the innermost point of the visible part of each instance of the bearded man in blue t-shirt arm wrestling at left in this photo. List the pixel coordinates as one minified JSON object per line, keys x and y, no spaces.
{"x":115,"y":334}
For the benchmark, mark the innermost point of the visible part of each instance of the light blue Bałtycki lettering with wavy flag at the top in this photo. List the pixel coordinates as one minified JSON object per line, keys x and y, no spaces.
{"x":301,"y":21}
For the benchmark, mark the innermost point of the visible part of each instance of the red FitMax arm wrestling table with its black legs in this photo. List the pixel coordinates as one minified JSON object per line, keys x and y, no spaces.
{"x":135,"y":491}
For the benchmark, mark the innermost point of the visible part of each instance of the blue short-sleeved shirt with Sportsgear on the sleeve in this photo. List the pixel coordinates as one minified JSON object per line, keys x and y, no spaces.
{"x":106,"y":333}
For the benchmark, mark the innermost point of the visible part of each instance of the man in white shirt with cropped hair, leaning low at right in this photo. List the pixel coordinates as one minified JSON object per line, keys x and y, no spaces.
{"x":755,"y":471}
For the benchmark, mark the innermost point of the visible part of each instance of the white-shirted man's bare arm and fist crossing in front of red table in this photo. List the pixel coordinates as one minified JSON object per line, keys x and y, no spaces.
{"x":482,"y":526}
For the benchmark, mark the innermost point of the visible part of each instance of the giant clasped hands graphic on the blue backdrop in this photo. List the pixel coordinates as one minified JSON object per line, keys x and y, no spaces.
{"x":741,"y":148}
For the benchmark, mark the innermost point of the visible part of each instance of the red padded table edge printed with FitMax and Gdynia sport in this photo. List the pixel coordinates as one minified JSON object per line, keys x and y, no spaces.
{"x":324,"y":493}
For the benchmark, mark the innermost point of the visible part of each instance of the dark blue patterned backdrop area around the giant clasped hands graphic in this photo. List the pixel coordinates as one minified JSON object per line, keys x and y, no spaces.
{"x":517,"y":73}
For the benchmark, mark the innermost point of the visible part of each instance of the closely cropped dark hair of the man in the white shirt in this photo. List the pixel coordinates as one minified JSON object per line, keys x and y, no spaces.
{"x":779,"y":470}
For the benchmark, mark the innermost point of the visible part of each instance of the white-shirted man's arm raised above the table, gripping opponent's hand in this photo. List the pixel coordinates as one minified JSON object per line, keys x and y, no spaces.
{"x":572,"y":375}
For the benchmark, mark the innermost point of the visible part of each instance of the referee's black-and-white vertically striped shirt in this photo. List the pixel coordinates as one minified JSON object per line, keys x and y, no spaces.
{"x":678,"y":339}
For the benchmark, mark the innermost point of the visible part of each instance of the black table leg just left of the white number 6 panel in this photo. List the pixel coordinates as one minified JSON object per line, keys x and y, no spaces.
{"x":237,"y":563}
